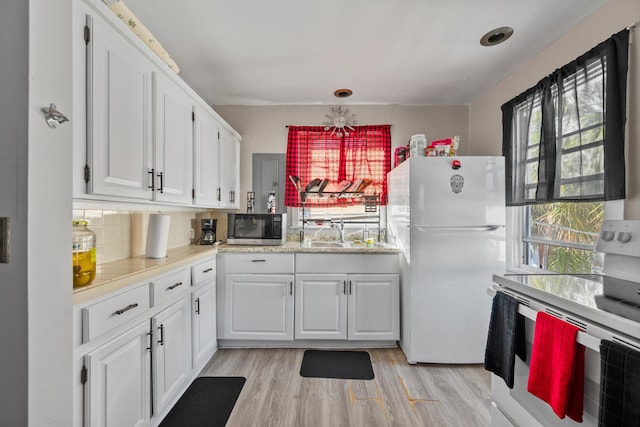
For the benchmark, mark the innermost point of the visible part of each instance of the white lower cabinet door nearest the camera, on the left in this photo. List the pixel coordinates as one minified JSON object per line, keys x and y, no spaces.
{"x":119,"y":379}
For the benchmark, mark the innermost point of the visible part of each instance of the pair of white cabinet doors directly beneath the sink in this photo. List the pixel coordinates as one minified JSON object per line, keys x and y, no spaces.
{"x":342,"y":306}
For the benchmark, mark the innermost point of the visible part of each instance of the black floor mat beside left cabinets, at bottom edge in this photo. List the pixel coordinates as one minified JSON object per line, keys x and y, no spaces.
{"x":208,"y":402}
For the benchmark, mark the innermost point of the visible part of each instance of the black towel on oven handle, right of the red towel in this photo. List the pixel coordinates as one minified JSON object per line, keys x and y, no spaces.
{"x":619,"y":385}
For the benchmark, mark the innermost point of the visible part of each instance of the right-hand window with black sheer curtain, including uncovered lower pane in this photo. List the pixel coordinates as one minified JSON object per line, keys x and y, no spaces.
{"x":564,"y":146}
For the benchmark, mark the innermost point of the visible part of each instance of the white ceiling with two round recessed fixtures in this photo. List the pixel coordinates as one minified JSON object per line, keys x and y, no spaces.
{"x":408,"y":52}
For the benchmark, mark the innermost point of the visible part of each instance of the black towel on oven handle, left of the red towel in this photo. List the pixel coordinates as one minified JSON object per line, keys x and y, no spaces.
{"x":506,"y":337}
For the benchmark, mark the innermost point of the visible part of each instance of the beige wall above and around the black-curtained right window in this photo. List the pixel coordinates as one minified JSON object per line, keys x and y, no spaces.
{"x":485,"y":117}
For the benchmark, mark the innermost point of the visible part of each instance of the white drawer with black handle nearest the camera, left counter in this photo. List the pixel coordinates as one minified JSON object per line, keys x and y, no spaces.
{"x":102,"y":316}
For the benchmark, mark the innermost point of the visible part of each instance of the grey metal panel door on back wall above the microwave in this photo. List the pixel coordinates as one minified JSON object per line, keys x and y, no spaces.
{"x":269,"y":175}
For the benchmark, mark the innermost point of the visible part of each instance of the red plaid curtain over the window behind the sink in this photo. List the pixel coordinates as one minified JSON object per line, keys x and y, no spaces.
{"x":313,"y":153}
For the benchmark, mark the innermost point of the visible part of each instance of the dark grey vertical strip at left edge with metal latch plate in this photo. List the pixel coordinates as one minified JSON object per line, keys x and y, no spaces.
{"x":14,"y":36}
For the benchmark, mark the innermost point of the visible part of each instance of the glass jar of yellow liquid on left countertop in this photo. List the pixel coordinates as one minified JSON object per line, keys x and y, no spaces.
{"x":84,"y":254}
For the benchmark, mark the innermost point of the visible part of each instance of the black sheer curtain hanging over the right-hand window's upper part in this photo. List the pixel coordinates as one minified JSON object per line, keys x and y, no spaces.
{"x":558,"y":143}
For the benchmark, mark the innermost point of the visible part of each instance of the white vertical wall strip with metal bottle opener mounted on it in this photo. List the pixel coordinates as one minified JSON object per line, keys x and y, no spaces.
{"x":49,"y":216}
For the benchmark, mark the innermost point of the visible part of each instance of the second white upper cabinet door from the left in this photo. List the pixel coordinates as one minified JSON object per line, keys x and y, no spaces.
{"x":173,"y":143}
